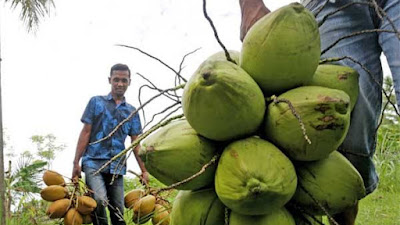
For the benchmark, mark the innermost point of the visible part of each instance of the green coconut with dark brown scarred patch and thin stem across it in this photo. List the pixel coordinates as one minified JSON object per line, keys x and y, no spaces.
{"x":325,"y":113}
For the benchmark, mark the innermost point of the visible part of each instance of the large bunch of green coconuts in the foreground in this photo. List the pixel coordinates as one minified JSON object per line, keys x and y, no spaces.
{"x":275,"y":118}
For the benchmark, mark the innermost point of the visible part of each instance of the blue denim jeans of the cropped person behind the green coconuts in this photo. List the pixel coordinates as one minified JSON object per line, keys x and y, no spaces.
{"x":359,"y":145}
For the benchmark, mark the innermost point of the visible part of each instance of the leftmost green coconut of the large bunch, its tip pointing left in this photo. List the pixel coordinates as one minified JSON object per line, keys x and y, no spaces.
{"x":176,"y":152}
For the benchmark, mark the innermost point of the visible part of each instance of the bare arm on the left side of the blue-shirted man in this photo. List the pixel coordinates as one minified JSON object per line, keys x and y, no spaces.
{"x":83,"y":141}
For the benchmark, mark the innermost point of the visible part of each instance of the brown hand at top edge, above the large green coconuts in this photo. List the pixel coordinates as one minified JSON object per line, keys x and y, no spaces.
{"x":252,"y":11}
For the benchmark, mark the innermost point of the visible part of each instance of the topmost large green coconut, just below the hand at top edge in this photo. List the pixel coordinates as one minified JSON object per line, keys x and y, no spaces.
{"x":282,"y":49}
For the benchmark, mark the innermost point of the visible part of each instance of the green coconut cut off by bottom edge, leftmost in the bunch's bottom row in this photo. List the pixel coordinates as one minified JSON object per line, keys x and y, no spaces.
{"x":200,"y":207}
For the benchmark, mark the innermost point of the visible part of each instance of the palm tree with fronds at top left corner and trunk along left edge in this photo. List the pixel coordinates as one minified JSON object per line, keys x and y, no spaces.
{"x":31,"y":13}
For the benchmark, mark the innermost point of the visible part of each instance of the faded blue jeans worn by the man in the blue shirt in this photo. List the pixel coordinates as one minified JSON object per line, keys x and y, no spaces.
{"x":106,"y":194}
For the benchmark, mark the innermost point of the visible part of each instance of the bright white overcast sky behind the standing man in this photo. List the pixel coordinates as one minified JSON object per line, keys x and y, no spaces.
{"x":48,"y":77}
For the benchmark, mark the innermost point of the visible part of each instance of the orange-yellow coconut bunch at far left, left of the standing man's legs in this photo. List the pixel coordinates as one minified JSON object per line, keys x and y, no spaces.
{"x":66,"y":201}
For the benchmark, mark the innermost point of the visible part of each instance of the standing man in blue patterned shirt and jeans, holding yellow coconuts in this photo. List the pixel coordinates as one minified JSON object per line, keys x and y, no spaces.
{"x":101,"y":116}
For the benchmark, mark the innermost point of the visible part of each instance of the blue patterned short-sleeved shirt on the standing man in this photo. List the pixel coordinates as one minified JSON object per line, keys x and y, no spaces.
{"x":104,"y":115}
